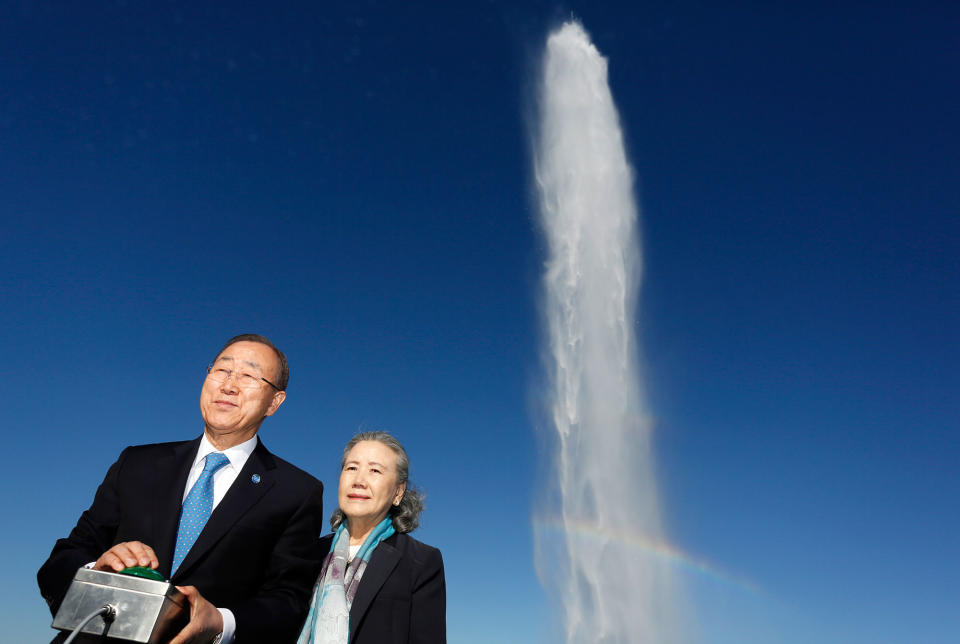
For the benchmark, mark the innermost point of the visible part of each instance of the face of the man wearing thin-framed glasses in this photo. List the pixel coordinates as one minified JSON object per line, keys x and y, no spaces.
{"x":234,"y":400}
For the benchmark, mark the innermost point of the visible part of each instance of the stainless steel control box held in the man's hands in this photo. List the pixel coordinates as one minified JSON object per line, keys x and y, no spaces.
{"x":148,"y":611}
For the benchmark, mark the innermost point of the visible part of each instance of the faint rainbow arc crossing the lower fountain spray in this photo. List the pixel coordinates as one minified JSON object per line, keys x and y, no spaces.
{"x":650,"y":547}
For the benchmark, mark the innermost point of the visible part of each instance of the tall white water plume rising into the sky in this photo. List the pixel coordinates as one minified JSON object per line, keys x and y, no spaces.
{"x":596,"y":556}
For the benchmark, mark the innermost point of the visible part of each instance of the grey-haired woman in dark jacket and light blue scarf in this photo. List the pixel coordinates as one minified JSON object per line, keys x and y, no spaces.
{"x":377,"y":584}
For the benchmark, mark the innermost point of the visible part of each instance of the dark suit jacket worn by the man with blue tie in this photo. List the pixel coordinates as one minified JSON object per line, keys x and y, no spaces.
{"x":256,"y":555}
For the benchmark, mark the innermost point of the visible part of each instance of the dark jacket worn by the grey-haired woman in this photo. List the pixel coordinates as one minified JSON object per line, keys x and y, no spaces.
{"x":402,"y":597}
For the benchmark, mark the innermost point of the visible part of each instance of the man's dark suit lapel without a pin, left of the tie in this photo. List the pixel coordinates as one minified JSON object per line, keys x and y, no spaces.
{"x":172,"y":470}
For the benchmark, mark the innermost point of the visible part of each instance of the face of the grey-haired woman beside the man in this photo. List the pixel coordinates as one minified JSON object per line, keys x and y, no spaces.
{"x":368,"y":483}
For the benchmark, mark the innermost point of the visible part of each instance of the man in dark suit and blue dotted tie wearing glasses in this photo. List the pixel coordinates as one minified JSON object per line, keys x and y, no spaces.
{"x":247,"y":562}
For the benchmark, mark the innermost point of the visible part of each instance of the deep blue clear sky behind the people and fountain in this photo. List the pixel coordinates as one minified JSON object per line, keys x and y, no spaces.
{"x":355,"y":183}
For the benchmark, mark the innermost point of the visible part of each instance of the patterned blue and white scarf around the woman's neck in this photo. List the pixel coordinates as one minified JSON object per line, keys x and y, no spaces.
{"x":328,"y":621}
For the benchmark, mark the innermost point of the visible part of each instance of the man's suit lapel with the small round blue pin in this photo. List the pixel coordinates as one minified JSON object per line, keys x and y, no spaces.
{"x":245,"y":492}
